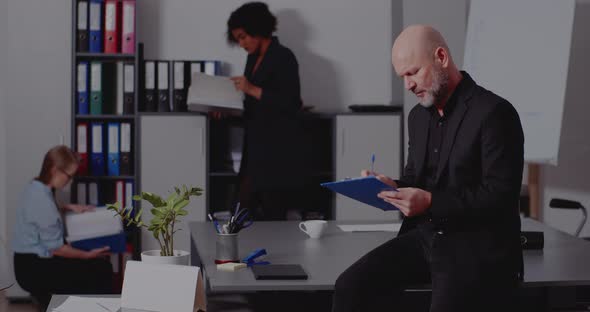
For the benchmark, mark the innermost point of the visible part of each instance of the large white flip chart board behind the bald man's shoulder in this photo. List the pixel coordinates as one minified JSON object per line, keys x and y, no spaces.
{"x":520,"y":49}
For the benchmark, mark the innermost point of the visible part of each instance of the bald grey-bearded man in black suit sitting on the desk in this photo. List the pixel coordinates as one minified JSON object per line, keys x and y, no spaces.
{"x":459,"y":193}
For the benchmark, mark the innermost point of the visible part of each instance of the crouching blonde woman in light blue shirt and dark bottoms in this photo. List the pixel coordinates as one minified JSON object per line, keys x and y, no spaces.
{"x":43,"y":263}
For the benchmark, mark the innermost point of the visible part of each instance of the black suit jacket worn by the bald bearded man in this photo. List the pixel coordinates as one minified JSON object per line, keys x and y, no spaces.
{"x":474,"y":215}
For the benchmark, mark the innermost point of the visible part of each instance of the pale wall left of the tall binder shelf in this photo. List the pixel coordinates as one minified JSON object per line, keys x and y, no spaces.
{"x":37,"y":88}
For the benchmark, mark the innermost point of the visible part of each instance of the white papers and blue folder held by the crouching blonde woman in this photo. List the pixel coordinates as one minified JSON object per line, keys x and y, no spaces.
{"x":95,"y":229}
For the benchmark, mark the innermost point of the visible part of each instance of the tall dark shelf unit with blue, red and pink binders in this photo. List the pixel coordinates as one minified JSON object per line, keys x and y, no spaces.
{"x":104,"y":95}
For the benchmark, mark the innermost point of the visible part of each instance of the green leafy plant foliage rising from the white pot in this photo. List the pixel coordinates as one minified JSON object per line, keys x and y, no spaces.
{"x":166,"y":213}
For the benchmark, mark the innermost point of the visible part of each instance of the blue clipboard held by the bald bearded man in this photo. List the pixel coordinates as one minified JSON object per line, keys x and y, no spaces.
{"x":363,"y":189}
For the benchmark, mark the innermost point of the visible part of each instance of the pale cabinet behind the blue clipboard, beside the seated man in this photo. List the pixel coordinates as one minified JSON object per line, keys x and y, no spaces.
{"x":358,"y":137}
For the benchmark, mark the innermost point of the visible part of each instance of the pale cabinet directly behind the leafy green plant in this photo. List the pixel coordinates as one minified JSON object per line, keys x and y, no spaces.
{"x":173,"y":152}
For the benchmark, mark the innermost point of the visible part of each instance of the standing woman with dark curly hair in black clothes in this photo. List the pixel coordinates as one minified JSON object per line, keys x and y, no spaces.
{"x":272,"y":172}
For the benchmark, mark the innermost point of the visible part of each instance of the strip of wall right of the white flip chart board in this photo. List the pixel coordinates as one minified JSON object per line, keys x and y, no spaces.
{"x":569,"y":179}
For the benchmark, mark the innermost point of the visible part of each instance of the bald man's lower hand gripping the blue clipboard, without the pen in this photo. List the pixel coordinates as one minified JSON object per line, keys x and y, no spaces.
{"x":410,"y":201}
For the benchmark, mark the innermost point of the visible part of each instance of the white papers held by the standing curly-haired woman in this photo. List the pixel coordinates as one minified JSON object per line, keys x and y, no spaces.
{"x":209,"y":93}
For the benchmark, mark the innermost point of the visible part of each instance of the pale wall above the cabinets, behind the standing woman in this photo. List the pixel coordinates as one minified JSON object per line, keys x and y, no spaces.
{"x":343,"y":46}
